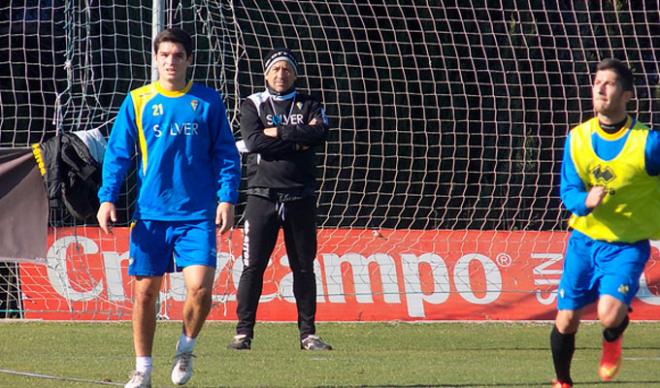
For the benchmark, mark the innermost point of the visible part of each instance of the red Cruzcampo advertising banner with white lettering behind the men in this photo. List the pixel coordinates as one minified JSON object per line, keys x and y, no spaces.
{"x":362,"y":275}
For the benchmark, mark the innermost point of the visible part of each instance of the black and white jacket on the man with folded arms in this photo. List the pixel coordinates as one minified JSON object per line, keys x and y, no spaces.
{"x":282,"y":167}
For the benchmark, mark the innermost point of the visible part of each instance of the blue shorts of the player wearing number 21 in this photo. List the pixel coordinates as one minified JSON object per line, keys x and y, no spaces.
{"x":158,"y":247}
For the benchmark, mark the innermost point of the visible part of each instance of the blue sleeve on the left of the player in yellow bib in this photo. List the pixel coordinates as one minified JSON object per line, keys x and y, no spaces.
{"x":572,"y":191}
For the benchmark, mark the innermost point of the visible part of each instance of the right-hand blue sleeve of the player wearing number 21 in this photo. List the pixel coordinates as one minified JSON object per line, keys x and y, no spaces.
{"x":226,"y":159}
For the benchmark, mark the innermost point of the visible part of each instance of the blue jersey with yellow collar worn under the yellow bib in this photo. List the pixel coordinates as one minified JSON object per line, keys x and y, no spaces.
{"x":573,"y":190}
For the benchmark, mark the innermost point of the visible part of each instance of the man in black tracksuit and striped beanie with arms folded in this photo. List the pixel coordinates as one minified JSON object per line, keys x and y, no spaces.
{"x":280,"y":129}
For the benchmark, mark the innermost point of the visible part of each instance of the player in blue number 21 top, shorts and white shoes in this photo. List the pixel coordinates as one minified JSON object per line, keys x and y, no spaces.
{"x":188,"y":179}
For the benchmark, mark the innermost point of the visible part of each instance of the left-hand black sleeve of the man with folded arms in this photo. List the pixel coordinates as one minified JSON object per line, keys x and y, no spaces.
{"x":252,"y":131}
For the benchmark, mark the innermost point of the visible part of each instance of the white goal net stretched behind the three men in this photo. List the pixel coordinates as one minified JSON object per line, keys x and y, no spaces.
{"x":438,"y":187}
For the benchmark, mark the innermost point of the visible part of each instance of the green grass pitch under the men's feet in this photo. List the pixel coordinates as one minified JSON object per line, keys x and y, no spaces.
{"x":367,"y":354}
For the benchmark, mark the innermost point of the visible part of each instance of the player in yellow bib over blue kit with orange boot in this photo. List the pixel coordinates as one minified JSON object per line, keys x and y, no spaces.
{"x":610,"y":182}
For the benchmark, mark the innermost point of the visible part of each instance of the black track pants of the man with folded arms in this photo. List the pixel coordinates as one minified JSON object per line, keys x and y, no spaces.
{"x":263,"y":219}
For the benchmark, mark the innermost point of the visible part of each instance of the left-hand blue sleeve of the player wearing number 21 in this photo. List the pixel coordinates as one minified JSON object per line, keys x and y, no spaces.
{"x":119,"y":152}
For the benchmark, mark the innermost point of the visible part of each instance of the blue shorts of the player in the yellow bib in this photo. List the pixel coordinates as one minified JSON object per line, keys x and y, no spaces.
{"x":593,"y":268}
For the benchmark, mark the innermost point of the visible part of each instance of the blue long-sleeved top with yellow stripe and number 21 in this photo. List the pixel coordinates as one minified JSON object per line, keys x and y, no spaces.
{"x":187,"y":161}
